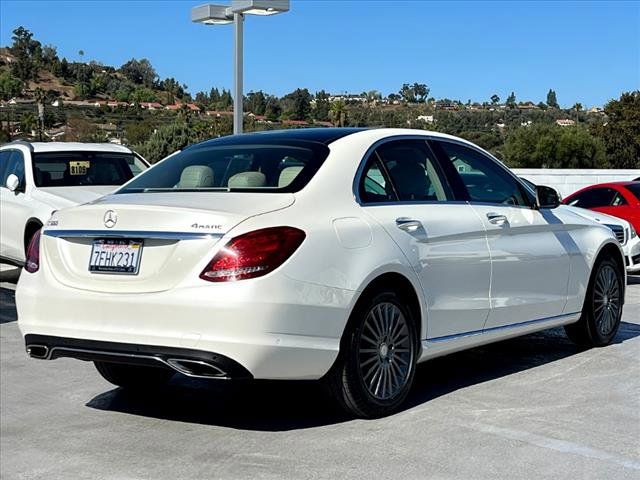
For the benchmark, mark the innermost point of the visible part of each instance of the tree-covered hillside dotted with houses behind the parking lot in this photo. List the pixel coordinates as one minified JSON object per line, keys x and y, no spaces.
{"x":45,"y":97}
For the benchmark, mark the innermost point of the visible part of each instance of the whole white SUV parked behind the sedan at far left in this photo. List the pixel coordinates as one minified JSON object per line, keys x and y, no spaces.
{"x":37,"y":179}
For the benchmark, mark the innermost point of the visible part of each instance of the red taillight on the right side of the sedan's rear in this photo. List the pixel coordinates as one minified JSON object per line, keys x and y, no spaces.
{"x":253,"y":254}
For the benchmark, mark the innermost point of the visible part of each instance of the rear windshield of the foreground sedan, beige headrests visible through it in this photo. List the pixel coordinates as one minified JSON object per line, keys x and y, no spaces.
{"x":233,"y":168}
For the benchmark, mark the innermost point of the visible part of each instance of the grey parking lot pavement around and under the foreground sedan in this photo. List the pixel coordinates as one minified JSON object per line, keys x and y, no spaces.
{"x":532,"y":407}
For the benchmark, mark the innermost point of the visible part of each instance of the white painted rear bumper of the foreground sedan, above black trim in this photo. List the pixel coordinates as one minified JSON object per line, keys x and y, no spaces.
{"x":273,"y":327}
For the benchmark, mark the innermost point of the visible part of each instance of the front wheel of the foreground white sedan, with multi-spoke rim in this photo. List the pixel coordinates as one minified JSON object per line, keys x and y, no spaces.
{"x":602,"y":309}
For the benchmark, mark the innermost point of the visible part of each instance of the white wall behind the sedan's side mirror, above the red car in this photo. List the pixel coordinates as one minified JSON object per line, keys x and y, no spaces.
{"x":566,"y":181}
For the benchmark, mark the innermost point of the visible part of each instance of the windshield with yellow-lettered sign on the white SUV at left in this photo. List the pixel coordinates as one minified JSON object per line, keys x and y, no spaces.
{"x":74,"y":169}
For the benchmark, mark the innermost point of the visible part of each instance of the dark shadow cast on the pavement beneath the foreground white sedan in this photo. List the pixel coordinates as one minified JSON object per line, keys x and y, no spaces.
{"x":283,"y":406}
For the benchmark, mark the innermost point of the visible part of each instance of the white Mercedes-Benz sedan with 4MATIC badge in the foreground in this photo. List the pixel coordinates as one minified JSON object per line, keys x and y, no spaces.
{"x":345,"y":255}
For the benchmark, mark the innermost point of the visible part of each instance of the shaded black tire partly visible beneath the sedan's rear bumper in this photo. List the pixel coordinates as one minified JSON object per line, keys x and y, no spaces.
{"x":134,"y":377}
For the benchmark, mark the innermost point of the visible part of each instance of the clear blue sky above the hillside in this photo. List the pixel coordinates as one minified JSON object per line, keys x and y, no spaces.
{"x":587,"y":51}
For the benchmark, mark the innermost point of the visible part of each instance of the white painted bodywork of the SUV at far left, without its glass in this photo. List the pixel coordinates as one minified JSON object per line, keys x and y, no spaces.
{"x":34,"y":205}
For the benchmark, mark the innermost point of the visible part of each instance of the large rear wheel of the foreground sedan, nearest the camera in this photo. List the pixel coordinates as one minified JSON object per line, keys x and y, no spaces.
{"x":390,"y":355}
